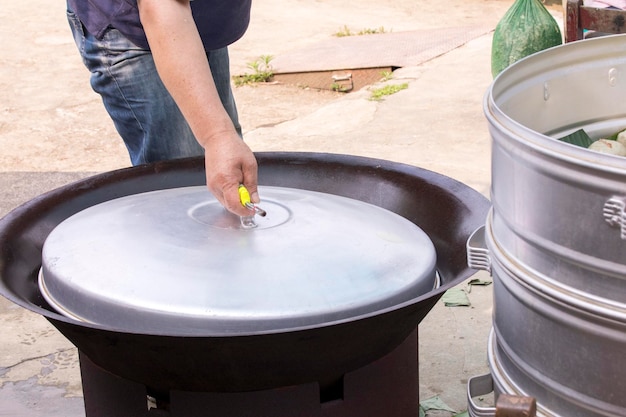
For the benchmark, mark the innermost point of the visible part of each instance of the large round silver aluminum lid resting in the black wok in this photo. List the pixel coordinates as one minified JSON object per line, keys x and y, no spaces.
{"x":175,"y":262}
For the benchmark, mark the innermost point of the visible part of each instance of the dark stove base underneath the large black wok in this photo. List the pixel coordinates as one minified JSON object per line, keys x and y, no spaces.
{"x":387,"y":387}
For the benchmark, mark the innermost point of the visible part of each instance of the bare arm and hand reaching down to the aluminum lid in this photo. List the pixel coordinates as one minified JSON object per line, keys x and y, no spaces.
{"x":184,"y":68}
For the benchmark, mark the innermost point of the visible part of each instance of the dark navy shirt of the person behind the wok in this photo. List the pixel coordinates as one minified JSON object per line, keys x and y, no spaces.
{"x":219,"y":22}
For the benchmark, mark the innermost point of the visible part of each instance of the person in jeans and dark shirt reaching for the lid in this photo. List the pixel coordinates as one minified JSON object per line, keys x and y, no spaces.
{"x":162,"y":70}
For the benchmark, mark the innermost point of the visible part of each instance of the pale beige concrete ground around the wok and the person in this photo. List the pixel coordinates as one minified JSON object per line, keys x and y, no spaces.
{"x":53,"y":130}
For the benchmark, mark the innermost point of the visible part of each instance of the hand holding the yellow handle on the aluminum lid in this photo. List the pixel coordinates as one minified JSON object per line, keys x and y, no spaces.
{"x":229,"y":163}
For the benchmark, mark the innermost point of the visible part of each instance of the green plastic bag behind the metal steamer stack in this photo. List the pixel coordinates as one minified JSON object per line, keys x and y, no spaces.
{"x":527,"y":27}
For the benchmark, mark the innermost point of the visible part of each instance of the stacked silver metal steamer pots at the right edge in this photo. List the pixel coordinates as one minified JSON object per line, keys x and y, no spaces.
{"x":554,"y":240}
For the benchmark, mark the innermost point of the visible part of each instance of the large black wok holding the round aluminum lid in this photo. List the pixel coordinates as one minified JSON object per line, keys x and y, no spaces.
{"x":448,"y":211}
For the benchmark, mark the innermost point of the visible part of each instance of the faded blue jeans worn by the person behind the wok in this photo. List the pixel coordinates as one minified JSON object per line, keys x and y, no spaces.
{"x":144,"y":113}
